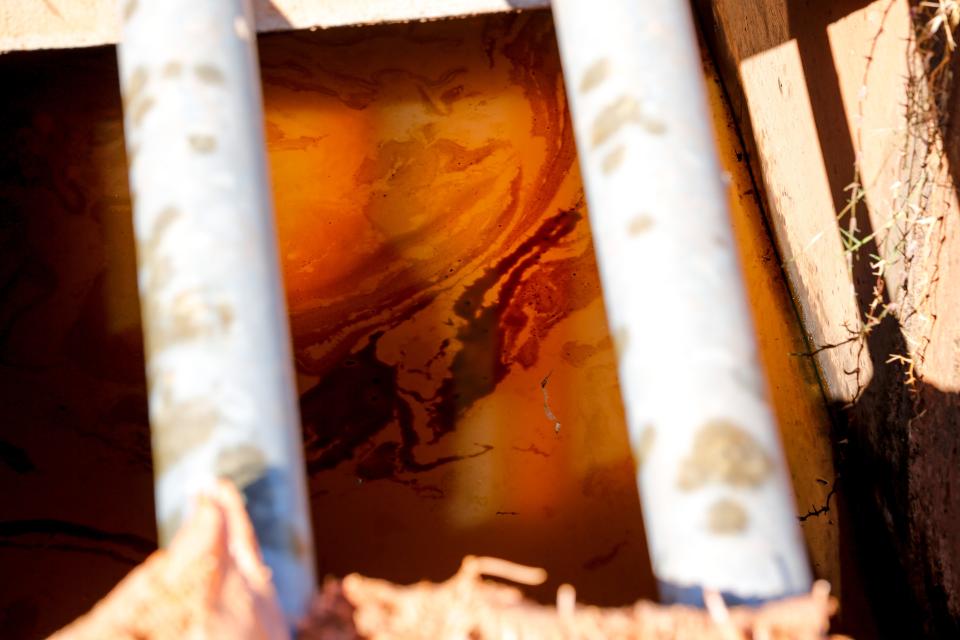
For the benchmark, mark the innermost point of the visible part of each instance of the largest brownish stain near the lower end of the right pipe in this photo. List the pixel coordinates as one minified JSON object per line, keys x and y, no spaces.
{"x":724,"y":453}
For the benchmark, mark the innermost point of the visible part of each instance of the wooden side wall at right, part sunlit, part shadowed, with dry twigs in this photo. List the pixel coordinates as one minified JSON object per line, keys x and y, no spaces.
{"x":822,"y":90}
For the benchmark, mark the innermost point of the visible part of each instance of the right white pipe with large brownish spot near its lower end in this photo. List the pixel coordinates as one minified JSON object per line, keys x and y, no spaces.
{"x":717,"y":501}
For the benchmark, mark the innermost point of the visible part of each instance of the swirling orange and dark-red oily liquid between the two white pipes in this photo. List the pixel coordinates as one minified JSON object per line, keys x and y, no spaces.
{"x":458,"y":387}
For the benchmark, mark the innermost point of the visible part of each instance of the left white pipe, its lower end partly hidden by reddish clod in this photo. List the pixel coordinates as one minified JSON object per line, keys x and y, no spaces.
{"x":219,"y":366}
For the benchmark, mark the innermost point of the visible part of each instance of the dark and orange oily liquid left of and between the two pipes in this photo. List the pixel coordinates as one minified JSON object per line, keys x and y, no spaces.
{"x":457,"y":378}
